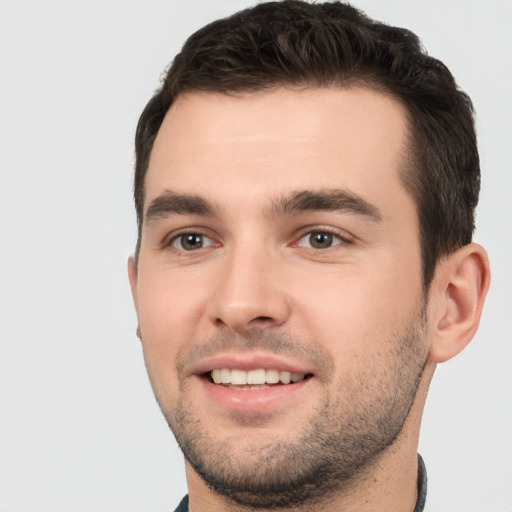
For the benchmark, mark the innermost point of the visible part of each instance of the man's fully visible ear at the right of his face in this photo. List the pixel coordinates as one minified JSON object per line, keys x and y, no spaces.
{"x":458,"y":294}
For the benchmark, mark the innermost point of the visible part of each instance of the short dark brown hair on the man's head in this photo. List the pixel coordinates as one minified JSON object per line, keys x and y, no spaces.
{"x":298,"y":44}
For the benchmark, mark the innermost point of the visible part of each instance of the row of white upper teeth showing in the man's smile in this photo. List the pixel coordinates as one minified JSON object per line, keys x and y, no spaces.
{"x":253,"y":379}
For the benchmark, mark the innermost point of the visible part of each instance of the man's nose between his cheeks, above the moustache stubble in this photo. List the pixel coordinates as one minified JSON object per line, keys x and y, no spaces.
{"x":250,"y":293}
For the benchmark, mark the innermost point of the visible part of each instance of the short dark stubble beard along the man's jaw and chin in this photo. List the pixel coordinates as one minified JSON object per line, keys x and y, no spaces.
{"x":346,"y":433}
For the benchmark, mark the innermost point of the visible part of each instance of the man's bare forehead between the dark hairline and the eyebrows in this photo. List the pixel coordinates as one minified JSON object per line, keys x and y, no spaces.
{"x":265,"y":143}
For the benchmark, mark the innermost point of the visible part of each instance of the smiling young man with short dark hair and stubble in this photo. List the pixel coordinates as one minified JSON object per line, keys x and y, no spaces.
{"x":305,"y":185}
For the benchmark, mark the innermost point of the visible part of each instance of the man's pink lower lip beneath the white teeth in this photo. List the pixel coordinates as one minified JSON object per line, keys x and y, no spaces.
{"x":255,"y":400}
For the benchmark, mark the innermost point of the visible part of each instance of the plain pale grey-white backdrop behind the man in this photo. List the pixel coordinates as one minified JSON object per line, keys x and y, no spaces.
{"x":80,"y":430}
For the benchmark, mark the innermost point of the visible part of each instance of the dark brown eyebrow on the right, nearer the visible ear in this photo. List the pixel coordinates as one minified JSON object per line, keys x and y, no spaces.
{"x":325,"y":200}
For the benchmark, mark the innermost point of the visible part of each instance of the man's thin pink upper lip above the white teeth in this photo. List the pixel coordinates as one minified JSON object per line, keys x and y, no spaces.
{"x":247,"y":362}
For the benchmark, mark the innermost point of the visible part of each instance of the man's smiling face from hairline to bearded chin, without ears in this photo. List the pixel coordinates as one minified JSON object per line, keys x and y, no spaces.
{"x":278,"y":287}
